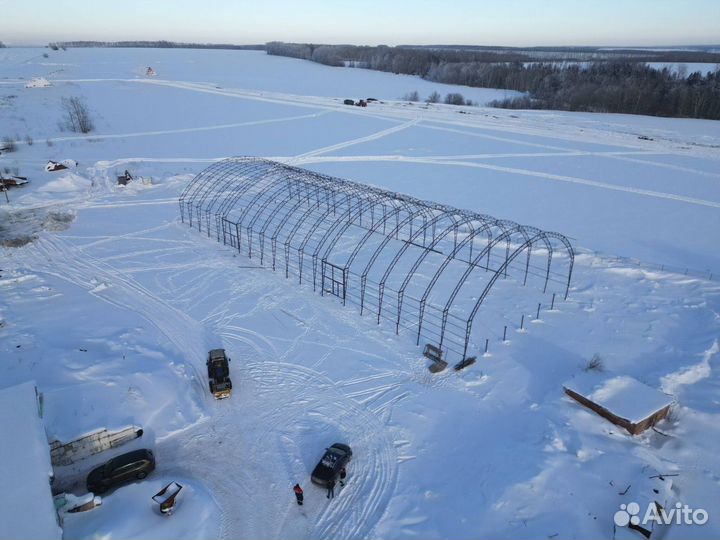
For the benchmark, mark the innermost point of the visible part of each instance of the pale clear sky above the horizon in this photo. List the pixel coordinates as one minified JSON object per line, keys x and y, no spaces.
{"x":372,"y":22}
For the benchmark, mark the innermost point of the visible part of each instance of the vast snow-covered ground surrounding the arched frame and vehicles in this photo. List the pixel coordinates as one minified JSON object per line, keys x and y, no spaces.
{"x":114,"y":305}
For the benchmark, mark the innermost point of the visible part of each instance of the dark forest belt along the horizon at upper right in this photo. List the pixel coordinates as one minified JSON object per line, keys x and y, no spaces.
{"x":573,"y":79}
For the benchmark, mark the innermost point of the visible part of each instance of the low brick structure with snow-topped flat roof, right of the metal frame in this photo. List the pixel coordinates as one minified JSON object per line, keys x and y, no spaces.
{"x":622,"y":400}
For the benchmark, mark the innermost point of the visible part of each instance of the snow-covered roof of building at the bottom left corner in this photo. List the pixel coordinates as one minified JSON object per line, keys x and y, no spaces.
{"x":26,"y":504}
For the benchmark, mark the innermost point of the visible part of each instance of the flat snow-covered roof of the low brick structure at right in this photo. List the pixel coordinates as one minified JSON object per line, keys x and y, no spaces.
{"x":621,"y":395}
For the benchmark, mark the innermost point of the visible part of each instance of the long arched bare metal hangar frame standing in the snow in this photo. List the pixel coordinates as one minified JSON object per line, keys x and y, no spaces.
{"x":423,"y":266}
